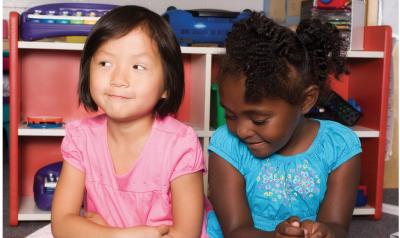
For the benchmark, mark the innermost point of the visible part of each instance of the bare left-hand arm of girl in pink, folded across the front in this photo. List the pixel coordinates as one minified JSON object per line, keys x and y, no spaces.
{"x":65,"y":215}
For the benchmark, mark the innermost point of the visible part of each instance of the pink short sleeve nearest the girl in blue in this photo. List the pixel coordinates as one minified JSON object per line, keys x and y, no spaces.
{"x":192,"y":159}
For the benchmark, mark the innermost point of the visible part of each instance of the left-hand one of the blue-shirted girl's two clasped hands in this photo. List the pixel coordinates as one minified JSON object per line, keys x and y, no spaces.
{"x":290,"y":228}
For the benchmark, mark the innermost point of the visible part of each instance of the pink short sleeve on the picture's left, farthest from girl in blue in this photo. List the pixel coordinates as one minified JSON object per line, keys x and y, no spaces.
{"x":69,"y":148}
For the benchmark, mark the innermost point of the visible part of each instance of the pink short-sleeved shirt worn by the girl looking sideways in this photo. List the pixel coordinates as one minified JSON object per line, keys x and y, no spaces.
{"x":143,"y":195}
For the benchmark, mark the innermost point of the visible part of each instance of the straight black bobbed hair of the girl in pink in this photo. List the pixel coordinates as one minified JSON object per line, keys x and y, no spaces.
{"x":119,"y":22}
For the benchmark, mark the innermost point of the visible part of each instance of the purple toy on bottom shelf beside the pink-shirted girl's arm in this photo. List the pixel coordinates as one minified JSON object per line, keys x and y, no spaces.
{"x":44,"y":184}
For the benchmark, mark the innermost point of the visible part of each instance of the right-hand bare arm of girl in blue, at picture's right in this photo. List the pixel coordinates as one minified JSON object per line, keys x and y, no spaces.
{"x":337,"y":208}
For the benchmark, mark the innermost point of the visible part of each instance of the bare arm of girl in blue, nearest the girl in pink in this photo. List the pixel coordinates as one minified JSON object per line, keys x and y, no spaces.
{"x":228,"y":196}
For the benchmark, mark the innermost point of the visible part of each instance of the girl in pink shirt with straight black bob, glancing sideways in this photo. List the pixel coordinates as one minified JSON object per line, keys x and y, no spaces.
{"x":137,"y":170}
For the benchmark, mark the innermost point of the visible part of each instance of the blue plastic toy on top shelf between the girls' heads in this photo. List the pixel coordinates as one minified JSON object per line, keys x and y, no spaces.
{"x":202,"y":26}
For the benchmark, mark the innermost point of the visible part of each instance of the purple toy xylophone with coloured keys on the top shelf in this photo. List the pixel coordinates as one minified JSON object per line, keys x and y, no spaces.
{"x":61,"y":19}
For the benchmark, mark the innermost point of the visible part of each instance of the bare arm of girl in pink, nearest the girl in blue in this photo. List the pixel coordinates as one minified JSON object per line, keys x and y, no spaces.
{"x":187,"y":206}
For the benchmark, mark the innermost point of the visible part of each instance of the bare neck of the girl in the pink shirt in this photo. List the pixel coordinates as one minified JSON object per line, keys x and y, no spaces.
{"x":124,"y":131}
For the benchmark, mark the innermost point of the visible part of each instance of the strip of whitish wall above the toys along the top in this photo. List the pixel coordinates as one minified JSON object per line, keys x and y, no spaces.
{"x":154,"y":5}
